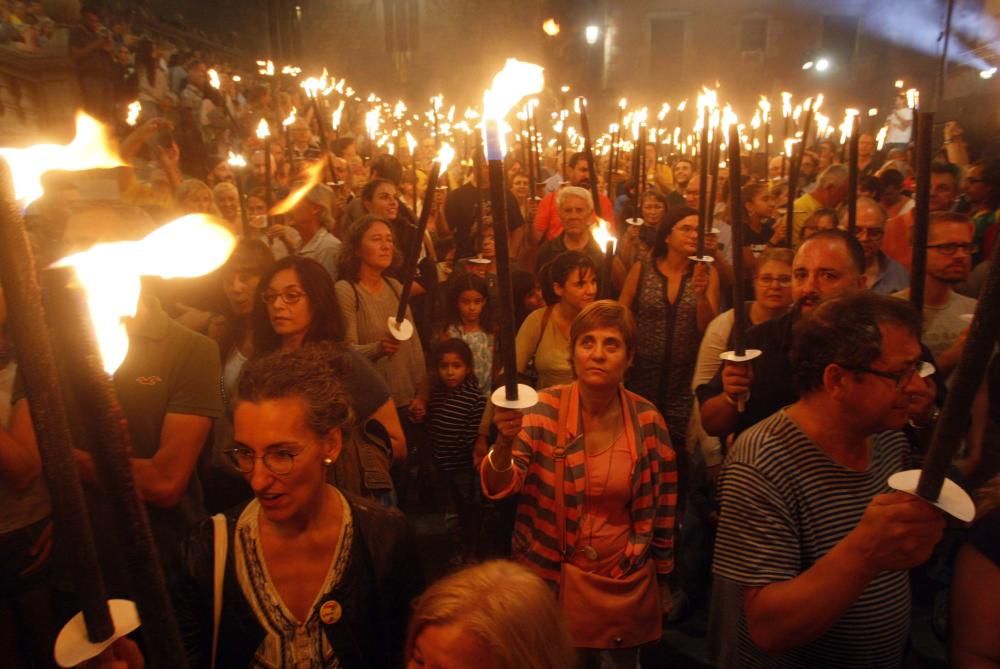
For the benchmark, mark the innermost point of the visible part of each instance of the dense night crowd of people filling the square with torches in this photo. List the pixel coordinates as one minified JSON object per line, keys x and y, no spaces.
{"x":279,"y":425}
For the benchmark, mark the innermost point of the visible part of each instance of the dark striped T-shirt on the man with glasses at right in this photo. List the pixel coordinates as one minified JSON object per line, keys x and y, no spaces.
{"x":786,"y":504}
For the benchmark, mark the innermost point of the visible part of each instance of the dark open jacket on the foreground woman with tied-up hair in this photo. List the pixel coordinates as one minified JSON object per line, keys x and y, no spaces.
{"x":381,"y":579}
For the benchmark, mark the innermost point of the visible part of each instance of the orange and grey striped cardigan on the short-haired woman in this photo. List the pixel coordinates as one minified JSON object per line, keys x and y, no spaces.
{"x":654,"y":485}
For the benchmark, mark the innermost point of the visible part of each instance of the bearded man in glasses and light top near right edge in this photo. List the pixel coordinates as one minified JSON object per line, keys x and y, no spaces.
{"x":949,"y":260}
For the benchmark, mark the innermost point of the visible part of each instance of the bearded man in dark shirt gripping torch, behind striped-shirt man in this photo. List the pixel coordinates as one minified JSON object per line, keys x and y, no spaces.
{"x":829,"y":264}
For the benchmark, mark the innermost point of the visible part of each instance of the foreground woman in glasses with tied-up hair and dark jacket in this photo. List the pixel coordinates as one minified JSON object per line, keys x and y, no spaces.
{"x":313,"y":576}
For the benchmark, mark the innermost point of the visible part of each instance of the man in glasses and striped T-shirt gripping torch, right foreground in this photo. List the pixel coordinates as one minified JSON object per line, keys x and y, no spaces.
{"x":813,"y":551}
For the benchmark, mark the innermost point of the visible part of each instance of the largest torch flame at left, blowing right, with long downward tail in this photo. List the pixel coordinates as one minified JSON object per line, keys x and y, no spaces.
{"x":110,"y":273}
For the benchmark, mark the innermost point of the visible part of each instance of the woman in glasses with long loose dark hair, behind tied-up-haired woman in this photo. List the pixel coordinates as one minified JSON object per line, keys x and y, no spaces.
{"x":297,"y":306}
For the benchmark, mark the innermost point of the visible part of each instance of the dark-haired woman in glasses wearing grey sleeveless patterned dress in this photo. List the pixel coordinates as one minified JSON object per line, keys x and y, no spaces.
{"x":673,"y":299}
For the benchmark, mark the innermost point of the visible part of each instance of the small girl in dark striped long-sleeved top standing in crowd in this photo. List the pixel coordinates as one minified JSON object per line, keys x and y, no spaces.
{"x":453,"y":415}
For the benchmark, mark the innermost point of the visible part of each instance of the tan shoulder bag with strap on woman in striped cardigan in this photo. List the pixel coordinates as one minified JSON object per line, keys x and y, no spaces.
{"x":601,"y":611}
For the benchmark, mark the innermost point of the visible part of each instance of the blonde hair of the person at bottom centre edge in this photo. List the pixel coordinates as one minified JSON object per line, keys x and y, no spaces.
{"x":507,"y":607}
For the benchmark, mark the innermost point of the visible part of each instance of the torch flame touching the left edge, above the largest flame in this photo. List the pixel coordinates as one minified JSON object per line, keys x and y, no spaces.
{"x":91,"y":149}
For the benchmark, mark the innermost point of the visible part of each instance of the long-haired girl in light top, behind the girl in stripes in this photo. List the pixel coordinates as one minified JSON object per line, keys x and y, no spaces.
{"x":469,"y":317}
